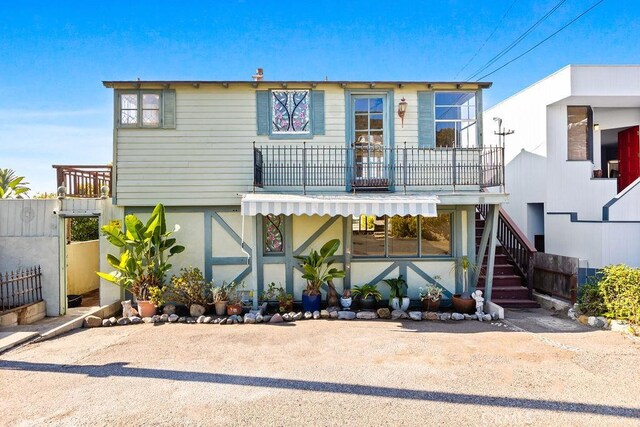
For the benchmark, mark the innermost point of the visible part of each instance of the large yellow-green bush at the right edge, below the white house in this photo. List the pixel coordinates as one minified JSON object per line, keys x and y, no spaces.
{"x":619,"y":286}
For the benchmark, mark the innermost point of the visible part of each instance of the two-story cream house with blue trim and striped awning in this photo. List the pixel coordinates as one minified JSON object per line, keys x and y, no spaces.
{"x":257,"y":172}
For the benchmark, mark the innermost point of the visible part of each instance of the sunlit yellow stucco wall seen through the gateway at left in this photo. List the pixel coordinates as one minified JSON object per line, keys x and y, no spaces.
{"x":83,"y":260}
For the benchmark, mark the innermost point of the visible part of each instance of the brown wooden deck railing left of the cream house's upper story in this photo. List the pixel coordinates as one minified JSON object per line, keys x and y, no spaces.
{"x":84,"y":180}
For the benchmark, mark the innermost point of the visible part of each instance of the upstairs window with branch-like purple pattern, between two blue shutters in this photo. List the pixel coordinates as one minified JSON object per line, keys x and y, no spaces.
{"x":290,"y":112}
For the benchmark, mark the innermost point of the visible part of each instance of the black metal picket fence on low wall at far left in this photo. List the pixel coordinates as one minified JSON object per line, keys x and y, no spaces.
{"x":19,"y":289}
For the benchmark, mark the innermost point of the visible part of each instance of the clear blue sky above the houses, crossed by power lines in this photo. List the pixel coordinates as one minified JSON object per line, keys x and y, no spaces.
{"x":54,"y":109}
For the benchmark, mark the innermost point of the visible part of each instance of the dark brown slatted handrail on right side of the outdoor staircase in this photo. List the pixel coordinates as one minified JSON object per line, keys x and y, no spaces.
{"x":516,"y":245}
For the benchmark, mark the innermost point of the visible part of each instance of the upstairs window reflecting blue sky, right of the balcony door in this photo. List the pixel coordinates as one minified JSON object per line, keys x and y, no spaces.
{"x":455,"y":119}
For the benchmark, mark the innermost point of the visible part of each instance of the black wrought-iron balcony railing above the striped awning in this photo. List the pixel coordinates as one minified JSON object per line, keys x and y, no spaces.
{"x":375,"y":168}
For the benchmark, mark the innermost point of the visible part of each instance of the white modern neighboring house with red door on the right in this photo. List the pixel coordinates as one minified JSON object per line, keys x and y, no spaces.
{"x":572,"y":165}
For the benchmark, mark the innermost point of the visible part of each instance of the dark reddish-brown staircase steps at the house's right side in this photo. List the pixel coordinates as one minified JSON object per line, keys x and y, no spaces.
{"x":509,"y":288}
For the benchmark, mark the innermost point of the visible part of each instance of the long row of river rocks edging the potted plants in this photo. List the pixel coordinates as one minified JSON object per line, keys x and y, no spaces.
{"x":257,"y":316}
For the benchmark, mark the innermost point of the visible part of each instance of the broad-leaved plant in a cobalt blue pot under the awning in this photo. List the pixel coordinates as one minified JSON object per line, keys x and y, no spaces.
{"x":318,"y":271}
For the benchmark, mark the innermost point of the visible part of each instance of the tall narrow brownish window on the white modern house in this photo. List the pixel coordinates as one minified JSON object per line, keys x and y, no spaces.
{"x":579,"y":133}
